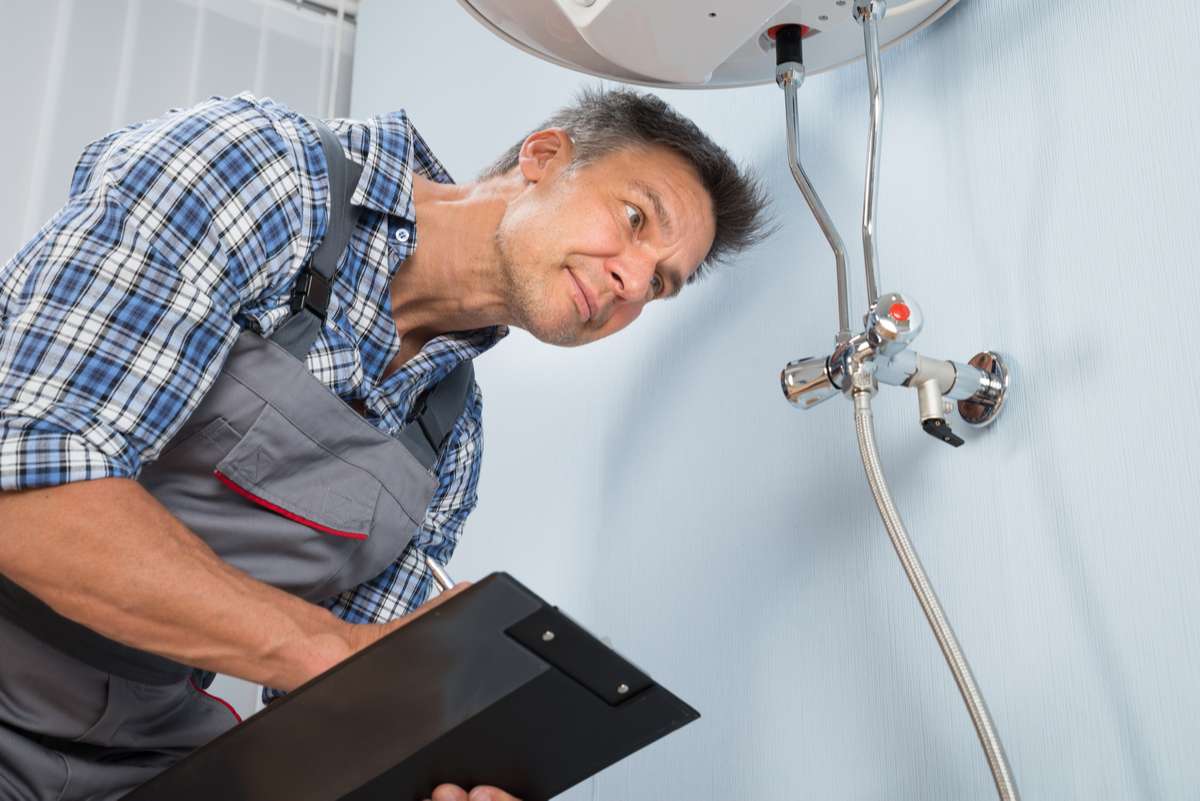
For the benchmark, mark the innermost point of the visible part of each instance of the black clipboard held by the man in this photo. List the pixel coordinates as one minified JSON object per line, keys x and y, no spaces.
{"x":495,"y":686}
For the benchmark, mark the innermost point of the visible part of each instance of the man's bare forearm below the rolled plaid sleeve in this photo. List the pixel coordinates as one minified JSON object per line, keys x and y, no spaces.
{"x":109,"y":556}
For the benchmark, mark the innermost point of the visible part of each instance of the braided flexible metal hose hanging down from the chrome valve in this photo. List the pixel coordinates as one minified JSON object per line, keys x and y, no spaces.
{"x":992,"y":746}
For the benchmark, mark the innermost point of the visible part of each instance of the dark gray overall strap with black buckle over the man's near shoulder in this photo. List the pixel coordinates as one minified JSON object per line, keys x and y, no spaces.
{"x":310,"y":297}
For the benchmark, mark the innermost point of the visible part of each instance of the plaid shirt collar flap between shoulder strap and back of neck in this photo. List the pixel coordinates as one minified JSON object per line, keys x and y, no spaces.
{"x":391,"y":150}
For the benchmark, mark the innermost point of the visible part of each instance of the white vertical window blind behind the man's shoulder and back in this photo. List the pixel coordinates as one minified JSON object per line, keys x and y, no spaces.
{"x":74,"y":70}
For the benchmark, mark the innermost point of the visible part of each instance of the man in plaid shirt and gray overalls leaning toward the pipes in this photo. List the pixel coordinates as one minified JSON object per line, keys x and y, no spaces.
{"x":188,"y":491}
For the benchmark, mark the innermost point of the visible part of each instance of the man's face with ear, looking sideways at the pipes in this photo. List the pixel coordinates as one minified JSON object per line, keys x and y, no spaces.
{"x":584,"y":250}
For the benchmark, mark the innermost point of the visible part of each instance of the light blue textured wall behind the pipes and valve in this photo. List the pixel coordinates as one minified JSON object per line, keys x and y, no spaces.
{"x":1040,"y":196}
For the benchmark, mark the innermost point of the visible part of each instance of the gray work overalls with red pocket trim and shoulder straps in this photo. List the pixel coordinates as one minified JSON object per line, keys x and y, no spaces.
{"x":283,"y":480}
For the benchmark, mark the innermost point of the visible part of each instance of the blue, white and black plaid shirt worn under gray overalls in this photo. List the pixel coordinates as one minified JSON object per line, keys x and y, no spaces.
{"x":181,"y":232}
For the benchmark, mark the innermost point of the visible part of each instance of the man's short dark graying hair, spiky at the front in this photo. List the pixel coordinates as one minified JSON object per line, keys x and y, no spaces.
{"x":603,"y":122}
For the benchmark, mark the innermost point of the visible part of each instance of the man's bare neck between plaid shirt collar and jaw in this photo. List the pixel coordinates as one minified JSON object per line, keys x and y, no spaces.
{"x":451,"y":281}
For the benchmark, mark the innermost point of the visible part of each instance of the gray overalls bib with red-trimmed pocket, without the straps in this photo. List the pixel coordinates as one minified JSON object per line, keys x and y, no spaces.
{"x":314,"y":511}
